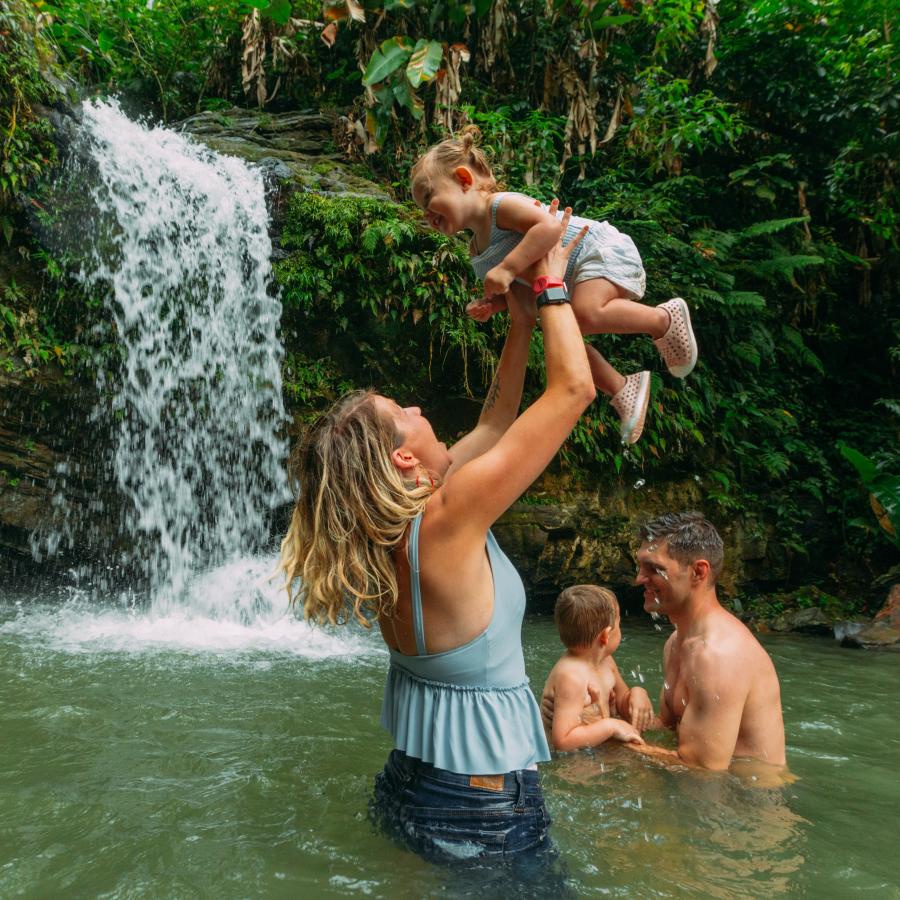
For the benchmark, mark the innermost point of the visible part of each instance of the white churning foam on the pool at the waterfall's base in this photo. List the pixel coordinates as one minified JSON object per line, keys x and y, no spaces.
{"x":234,"y":608}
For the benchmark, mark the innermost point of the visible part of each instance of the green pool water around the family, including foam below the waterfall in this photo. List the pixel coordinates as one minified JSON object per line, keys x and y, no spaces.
{"x":193,"y":757}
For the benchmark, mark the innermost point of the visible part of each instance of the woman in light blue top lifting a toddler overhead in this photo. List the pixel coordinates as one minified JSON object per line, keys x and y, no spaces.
{"x":392,"y":523}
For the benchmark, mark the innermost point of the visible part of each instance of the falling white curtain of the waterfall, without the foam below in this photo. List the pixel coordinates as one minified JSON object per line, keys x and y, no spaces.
{"x":183,"y":258}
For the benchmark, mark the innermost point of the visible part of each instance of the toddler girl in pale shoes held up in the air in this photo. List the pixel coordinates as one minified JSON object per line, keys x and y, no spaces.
{"x":453,"y":184}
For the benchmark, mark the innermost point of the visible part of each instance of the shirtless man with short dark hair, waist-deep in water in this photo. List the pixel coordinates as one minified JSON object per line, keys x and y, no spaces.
{"x":720,"y":690}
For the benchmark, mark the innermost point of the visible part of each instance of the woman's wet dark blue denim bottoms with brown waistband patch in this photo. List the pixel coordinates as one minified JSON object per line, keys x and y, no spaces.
{"x":461,"y":819}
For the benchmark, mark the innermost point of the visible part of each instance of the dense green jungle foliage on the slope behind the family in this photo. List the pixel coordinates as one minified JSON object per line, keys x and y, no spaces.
{"x":751,"y":152}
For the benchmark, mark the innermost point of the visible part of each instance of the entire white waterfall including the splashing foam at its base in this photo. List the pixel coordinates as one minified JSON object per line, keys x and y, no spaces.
{"x":183,"y":255}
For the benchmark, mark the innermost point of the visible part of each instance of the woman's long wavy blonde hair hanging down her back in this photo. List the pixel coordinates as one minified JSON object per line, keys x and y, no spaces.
{"x":352,"y":511}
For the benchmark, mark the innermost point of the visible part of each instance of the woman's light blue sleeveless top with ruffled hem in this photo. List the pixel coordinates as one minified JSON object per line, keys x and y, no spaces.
{"x":467,"y":710}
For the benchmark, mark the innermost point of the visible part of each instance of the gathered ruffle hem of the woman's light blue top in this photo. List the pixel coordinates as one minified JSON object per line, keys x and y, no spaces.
{"x":469,"y":730}
